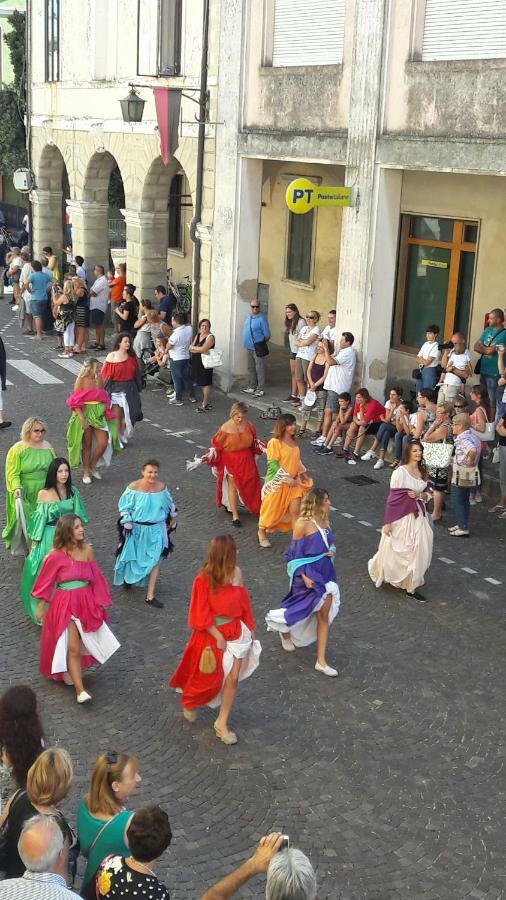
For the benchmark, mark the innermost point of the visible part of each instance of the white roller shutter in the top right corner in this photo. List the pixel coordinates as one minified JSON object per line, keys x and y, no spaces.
{"x":464,"y":29}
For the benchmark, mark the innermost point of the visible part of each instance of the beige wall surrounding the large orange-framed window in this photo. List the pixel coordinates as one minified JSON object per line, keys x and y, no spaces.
{"x":482,"y":198}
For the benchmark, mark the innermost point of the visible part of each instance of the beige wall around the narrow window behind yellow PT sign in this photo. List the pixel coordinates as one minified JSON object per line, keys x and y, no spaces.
{"x":274,"y":222}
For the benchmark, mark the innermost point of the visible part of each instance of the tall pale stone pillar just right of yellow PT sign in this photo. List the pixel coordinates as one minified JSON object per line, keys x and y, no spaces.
{"x":354,"y":292}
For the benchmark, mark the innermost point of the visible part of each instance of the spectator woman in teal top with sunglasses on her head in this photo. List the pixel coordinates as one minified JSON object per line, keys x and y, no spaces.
{"x":102,"y":819}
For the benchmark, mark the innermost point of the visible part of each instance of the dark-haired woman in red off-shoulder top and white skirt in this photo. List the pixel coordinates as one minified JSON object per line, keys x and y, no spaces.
{"x":123,"y":382}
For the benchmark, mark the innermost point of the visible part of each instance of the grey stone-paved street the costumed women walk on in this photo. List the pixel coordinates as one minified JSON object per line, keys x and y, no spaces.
{"x":391,"y":778}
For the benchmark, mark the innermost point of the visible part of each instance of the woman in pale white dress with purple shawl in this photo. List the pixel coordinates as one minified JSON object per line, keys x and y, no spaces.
{"x":405,"y":549}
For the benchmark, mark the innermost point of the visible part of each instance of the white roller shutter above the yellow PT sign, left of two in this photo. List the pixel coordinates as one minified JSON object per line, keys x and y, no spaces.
{"x":308,"y":35}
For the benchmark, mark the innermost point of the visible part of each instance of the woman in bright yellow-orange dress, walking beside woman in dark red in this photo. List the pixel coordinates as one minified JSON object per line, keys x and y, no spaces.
{"x":285,"y":482}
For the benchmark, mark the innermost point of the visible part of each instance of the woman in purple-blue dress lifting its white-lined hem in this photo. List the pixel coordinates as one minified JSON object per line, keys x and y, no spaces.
{"x":313,"y":599}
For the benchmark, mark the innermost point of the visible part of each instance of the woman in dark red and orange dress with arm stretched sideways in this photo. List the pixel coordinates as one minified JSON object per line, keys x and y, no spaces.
{"x":232,"y":458}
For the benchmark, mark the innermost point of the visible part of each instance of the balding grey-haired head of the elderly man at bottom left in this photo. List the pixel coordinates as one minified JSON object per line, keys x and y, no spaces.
{"x":42,"y":846}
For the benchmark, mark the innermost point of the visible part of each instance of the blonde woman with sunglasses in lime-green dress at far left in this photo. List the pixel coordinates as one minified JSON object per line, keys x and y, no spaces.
{"x":25,"y":473}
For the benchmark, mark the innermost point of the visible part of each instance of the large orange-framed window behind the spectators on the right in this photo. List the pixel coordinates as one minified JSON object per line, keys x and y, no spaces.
{"x":435,"y":278}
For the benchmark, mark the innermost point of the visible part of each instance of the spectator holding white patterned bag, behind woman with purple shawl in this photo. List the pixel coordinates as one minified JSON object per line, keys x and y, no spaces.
{"x":437,"y":455}
